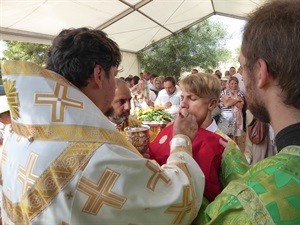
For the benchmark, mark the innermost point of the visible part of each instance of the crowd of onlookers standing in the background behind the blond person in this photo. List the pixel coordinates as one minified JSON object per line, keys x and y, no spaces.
{"x":230,"y":112}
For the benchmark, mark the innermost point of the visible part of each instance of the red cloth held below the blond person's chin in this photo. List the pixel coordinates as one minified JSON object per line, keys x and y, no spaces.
{"x":207,"y":152}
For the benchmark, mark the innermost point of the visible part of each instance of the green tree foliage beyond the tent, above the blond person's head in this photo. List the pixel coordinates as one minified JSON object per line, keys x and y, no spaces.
{"x":199,"y":46}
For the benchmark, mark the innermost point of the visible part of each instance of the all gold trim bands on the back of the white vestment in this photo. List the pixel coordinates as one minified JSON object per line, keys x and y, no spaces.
{"x":65,"y":166}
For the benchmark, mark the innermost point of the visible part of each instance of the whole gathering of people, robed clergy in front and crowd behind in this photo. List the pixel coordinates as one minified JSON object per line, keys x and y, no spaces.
{"x":65,"y":160}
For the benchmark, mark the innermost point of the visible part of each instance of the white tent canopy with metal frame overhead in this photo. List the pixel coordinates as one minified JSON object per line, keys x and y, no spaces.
{"x":133,"y":24}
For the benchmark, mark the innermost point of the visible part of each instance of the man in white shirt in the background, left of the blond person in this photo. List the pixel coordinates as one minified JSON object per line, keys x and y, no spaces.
{"x":169,"y":97}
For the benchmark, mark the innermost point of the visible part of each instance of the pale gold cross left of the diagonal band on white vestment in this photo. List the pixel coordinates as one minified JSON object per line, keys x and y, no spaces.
{"x":26,"y":176}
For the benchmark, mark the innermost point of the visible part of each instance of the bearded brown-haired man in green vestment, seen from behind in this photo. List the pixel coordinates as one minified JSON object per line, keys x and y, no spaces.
{"x":267,"y":192}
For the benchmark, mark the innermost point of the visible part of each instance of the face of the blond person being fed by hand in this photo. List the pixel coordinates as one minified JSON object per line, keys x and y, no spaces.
{"x":195,"y":105}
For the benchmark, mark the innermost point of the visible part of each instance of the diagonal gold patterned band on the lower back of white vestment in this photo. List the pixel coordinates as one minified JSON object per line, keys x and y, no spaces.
{"x":49,"y":183}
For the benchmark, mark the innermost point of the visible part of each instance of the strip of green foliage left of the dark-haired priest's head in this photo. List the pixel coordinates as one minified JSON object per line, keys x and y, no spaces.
{"x":36,"y":53}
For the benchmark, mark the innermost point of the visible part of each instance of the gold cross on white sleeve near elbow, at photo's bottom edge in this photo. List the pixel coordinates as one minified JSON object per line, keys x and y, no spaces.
{"x":181,"y":209}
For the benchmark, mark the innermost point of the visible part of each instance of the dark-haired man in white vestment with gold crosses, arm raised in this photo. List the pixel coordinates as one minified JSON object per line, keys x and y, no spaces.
{"x":66,"y":163}
